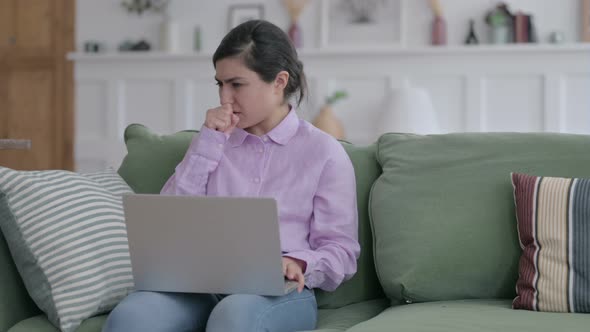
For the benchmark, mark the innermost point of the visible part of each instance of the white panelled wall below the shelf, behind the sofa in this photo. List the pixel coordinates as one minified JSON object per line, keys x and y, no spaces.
{"x":509,"y":88}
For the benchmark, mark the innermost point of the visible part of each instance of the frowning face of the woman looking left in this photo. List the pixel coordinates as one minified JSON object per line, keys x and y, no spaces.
{"x":252,"y":99}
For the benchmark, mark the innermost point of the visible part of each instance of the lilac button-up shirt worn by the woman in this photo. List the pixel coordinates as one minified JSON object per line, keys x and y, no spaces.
{"x":305,"y":170}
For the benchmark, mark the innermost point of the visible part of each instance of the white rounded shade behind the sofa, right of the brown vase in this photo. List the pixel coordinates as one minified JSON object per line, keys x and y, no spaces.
{"x":409,"y":110}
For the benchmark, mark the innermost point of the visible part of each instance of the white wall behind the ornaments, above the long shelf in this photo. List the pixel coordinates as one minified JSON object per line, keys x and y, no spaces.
{"x":108,"y":22}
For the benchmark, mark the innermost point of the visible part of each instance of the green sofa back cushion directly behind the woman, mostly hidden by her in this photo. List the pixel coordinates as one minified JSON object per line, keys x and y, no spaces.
{"x":152,"y":158}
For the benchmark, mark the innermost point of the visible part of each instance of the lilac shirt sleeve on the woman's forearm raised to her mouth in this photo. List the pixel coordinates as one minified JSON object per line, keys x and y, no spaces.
{"x":201,"y":159}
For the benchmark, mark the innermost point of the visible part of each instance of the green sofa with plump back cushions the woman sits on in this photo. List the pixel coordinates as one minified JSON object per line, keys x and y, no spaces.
{"x":436,"y":224}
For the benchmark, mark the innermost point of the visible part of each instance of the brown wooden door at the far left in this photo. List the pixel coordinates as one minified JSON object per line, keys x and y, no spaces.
{"x":36,"y":82}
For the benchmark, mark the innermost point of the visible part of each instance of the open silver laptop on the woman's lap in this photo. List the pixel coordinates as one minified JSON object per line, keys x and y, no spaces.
{"x":217,"y":245}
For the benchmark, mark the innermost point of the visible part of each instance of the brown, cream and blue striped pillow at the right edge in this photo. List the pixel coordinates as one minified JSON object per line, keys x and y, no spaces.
{"x":554,"y":231}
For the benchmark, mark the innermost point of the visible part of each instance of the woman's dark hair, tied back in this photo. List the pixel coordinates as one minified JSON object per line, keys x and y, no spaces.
{"x":266,"y":50}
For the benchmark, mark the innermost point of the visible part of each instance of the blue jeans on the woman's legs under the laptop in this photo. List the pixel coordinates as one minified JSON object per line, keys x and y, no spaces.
{"x":176,"y":312}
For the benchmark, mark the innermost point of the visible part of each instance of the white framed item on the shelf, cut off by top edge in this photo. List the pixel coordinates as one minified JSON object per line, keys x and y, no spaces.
{"x":362,"y":23}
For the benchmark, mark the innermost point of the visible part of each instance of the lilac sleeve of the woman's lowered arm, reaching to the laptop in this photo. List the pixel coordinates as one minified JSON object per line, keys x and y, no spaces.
{"x":334,"y":227}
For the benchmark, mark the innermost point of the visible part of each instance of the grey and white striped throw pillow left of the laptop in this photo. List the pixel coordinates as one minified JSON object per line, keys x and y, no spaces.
{"x":66,"y":232}
